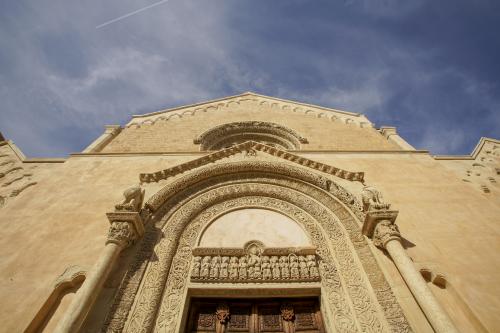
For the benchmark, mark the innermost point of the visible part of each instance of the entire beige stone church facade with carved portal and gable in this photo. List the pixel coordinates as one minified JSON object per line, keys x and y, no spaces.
{"x":250,"y":214}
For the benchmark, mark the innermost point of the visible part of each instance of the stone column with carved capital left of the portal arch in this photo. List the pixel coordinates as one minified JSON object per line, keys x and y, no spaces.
{"x":125,"y":228}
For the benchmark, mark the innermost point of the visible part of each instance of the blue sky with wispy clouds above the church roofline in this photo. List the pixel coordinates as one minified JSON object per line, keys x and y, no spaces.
{"x":431,"y":68}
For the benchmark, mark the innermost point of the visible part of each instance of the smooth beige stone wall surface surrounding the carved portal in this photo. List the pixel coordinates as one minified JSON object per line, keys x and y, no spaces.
{"x":450,"y":226}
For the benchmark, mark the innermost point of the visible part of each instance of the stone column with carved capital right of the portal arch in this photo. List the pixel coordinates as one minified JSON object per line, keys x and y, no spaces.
{"x":379,"y":225}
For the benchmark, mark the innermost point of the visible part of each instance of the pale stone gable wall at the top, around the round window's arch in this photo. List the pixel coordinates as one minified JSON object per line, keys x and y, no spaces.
{"x":177,"y":129}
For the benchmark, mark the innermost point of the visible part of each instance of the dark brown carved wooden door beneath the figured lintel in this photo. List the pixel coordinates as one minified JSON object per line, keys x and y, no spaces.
{"x":255,"y":316}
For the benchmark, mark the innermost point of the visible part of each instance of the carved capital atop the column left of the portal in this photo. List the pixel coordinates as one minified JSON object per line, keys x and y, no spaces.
{"x":125,"y":228}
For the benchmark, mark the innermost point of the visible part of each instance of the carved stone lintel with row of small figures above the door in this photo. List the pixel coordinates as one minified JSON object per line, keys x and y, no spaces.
{"x":254,"y":263}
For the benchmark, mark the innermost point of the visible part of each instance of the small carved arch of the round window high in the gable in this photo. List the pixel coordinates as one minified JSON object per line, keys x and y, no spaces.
{"x":225,"y":135}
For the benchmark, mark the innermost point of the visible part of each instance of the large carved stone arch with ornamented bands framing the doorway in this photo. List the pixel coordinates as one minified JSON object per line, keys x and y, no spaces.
{"x":360,"y":298}
